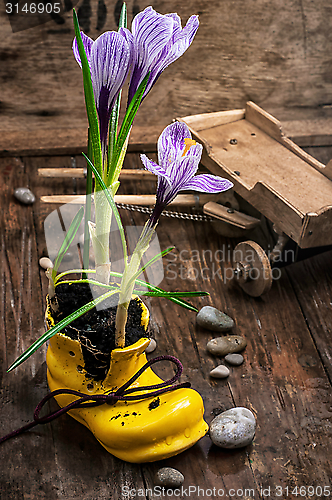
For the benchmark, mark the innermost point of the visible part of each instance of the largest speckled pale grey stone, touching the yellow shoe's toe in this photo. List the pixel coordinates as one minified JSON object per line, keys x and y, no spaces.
{"x":233,"y":428}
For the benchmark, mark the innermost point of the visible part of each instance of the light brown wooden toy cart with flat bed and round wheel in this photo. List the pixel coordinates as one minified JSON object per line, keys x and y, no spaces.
{"x":275,"y":176}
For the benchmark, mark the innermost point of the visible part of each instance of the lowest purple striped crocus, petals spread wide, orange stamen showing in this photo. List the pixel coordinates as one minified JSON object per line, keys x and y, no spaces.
{"x":179,"y":157}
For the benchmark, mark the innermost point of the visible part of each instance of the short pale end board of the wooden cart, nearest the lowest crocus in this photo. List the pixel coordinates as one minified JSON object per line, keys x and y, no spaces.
{"x":210,"y":120}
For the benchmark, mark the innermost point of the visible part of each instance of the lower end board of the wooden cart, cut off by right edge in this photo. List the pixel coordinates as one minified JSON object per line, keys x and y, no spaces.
{"x":317,"y":229}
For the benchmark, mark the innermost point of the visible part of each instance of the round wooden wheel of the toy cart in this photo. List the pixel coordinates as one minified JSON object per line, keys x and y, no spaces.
{"x":252,"y":268}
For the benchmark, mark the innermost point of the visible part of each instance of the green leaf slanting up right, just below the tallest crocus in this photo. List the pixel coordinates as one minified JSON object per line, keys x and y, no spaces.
{"x":125,"y":129}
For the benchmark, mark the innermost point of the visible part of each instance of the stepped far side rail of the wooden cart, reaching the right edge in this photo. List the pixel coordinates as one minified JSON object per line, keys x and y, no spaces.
{"x":271,"y":126}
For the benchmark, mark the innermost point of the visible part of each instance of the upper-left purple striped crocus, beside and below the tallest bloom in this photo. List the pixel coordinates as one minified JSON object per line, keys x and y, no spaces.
{"x":109,"y":58}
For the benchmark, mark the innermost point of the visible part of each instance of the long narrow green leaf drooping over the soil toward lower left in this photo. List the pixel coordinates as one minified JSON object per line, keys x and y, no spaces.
{"x":57,"y":328}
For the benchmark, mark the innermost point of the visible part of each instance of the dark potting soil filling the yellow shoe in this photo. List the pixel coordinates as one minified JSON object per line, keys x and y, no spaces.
{"x":95,"y":330}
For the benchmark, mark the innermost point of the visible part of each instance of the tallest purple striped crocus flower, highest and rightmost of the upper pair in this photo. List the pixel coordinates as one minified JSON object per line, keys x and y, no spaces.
{"x":157,"y":40}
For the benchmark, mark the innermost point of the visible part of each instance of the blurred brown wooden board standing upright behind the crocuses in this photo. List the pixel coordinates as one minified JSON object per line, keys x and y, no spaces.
{"x":277,"y":54}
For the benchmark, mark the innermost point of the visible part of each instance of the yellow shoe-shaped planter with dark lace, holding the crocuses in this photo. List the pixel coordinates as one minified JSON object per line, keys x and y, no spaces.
{"x":135,"y":431}
